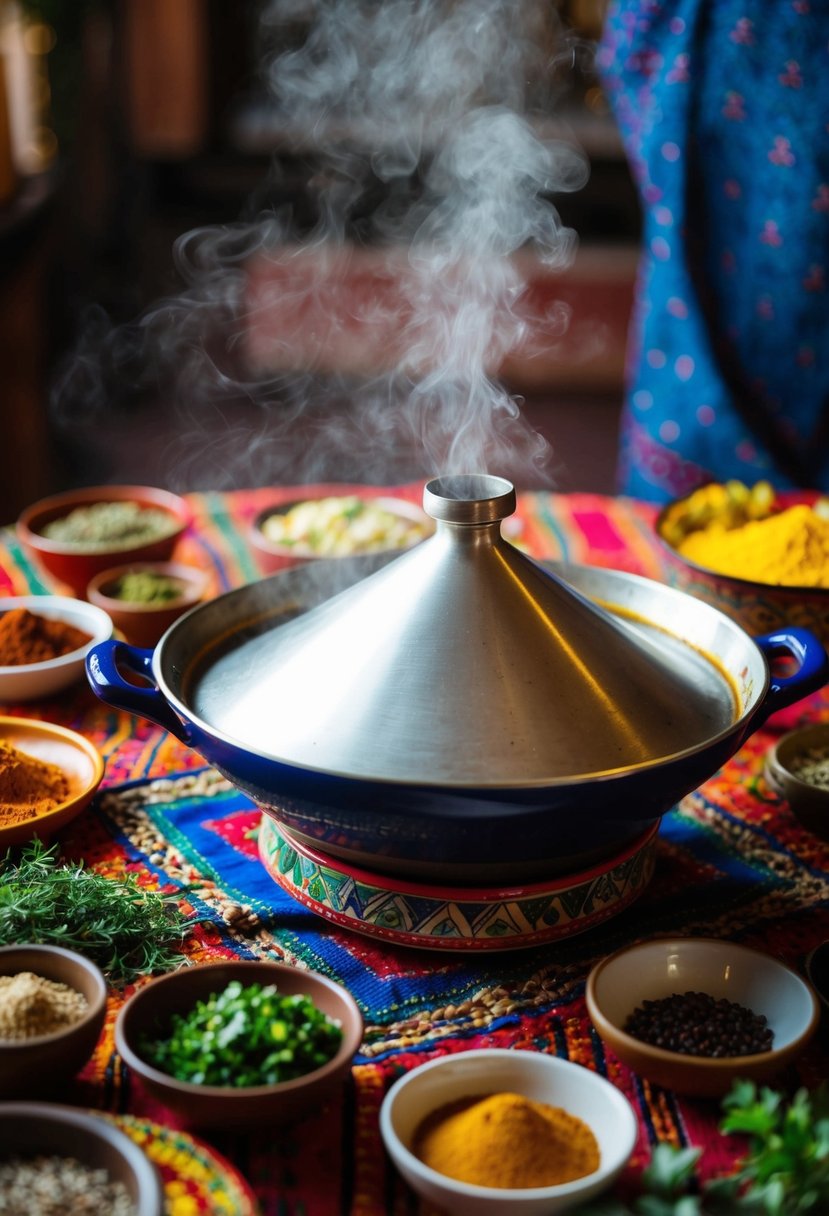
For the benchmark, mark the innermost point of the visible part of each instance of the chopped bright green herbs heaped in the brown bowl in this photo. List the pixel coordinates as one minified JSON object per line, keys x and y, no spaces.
{"x":244,"y":1037}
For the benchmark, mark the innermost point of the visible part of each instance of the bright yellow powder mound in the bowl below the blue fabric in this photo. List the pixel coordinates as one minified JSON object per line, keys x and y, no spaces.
{"x":789,"y":549}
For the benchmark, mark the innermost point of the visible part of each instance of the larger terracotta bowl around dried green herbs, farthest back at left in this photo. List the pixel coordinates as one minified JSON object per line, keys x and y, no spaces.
{"x":75,"y":565}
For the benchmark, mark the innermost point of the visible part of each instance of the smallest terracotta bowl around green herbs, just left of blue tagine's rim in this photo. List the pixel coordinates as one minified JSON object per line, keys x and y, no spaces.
{"x":143,"y":624}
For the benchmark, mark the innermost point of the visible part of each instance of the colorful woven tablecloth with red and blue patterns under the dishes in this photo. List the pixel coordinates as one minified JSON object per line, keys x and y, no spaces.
{"x":731,"y":862}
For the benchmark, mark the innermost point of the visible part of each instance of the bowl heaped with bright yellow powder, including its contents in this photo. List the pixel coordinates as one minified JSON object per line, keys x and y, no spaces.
{"x":758,"y":555}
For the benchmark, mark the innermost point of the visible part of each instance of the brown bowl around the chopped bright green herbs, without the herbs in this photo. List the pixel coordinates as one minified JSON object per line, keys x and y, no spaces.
{"x":148,"y":1014}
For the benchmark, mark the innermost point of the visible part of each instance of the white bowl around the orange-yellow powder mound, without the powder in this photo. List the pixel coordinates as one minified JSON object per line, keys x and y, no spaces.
{"x":497,"y":1071}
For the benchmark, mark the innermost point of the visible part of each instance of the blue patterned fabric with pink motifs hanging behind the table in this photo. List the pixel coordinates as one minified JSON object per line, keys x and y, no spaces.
{"x":724,"y":108}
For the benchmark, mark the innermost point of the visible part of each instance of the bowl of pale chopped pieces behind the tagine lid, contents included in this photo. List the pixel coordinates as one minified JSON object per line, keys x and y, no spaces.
{"x":336,"y":526}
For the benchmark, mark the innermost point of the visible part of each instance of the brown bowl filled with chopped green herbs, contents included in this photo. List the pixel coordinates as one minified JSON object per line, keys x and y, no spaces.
{"x":281,"y":1042}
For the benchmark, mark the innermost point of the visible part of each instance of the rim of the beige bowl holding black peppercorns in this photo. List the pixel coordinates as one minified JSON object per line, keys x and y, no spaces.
{"x":704,"y":1063}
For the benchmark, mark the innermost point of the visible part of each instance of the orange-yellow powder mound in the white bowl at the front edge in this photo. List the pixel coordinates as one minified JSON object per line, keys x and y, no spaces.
{"x":506,"y":1141}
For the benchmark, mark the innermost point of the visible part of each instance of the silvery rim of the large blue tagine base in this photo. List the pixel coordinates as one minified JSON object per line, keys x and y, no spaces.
{"x":742,"y":722}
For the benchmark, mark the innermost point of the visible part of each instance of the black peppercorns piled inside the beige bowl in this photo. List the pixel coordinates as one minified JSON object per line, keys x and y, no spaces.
{"x":698,"y":1024}
